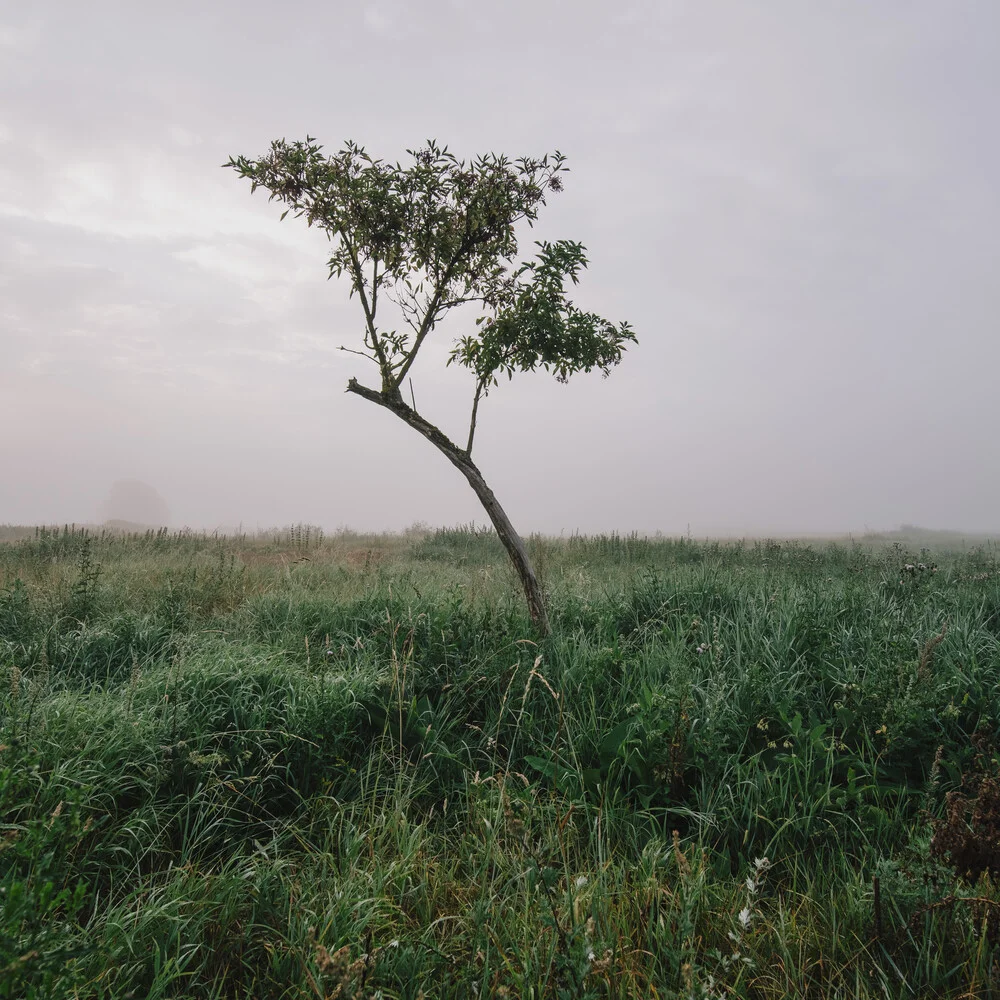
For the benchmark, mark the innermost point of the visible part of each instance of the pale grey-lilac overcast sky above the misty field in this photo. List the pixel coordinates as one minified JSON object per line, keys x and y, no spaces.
{"x":795,"y":205}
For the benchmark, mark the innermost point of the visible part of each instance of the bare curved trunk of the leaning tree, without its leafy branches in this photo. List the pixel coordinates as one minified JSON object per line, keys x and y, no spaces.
{"x":462,"y":460}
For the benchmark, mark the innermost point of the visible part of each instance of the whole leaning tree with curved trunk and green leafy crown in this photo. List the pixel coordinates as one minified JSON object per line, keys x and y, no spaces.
{"x":431,"y":236}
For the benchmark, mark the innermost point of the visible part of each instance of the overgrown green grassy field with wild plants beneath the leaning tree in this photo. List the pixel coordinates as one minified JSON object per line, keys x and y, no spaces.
{"x":308,"y":767}
